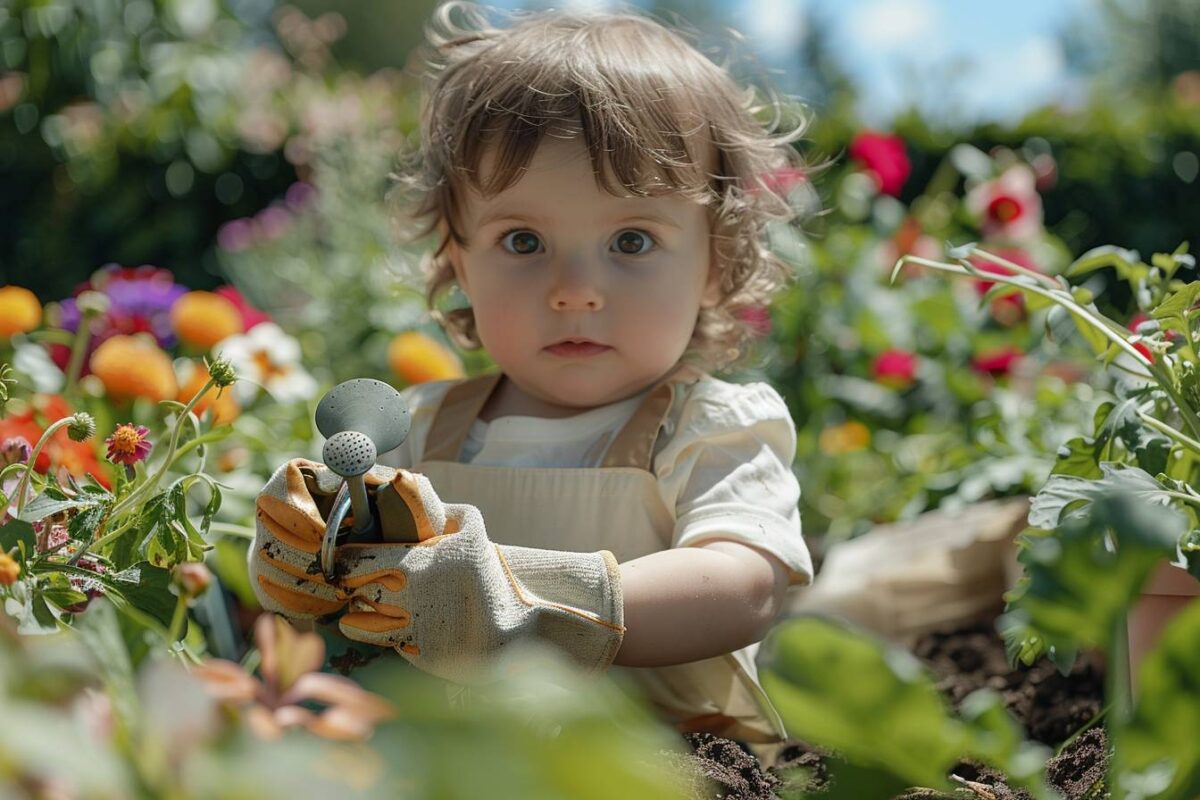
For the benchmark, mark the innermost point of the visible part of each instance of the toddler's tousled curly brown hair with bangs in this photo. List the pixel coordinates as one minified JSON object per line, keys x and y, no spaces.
{"x":653,"y":112}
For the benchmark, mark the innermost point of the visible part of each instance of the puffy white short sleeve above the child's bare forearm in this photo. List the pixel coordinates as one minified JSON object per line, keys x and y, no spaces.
{"x":727,"y":470}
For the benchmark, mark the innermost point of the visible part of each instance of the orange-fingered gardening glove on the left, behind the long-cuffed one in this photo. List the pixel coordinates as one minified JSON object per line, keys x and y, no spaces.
{"x":291,"y":512}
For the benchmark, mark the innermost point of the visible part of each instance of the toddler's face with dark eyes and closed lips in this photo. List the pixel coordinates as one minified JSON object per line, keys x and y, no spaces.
{"x":580,"y":297}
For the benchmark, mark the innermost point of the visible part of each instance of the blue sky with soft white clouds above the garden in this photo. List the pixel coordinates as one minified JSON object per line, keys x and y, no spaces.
{"x":962,"y":61}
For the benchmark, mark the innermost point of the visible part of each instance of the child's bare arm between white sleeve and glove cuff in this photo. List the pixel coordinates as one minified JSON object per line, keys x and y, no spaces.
{"x":698,"y":603}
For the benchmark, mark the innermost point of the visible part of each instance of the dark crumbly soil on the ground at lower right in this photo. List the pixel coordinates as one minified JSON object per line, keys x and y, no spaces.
{"x":1052,"y":707}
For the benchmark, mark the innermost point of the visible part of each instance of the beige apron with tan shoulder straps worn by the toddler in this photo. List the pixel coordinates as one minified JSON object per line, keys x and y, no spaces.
{"x":615,"y":507}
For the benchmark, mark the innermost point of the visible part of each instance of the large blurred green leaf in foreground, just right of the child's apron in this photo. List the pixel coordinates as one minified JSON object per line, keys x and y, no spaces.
{"x":890,"y":719}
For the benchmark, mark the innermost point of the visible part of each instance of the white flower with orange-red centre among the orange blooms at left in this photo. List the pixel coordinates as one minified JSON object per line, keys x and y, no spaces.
{"x":267,"y":357}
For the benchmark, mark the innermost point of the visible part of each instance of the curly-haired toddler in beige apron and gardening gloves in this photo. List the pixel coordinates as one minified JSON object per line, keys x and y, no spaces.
{"x":599,"y":191}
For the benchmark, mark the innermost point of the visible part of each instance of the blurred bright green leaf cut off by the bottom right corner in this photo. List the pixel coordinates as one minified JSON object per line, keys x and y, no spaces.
{"x":1156,"y":742}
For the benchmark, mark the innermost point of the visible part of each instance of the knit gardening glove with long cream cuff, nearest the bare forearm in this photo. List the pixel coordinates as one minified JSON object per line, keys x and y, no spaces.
{"x":452,"y":603}
